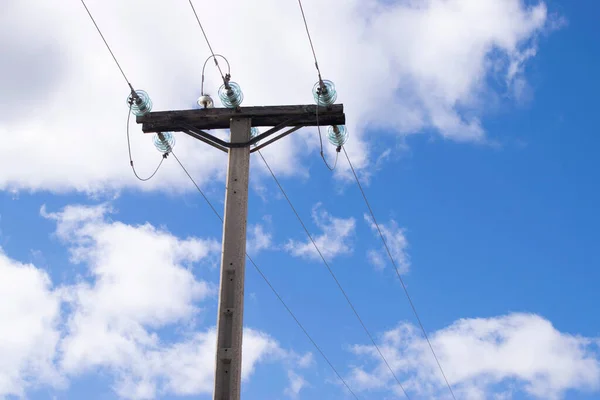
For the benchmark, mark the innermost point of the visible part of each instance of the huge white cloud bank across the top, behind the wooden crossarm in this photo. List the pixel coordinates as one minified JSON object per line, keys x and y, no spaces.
{"x":401,"y":66}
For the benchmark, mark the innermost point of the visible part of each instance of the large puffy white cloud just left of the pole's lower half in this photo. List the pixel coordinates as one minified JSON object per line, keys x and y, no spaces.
{"x":139,"y":283}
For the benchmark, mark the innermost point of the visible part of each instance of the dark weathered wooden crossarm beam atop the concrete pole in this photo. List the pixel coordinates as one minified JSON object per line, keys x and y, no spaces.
{"x":219,"y":118}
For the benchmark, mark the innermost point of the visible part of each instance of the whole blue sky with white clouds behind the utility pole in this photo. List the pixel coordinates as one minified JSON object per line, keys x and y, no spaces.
{"x":472,"y":130}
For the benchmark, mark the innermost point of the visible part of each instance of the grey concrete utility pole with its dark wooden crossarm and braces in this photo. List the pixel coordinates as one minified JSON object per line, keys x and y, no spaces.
{"x":228,"y":369}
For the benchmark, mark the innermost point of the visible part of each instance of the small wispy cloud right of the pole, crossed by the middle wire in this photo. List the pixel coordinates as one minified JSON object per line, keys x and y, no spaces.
{"x":333,"y":242}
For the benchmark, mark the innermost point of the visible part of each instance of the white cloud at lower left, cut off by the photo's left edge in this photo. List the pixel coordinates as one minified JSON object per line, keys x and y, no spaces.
{"x":29,"y":328}
